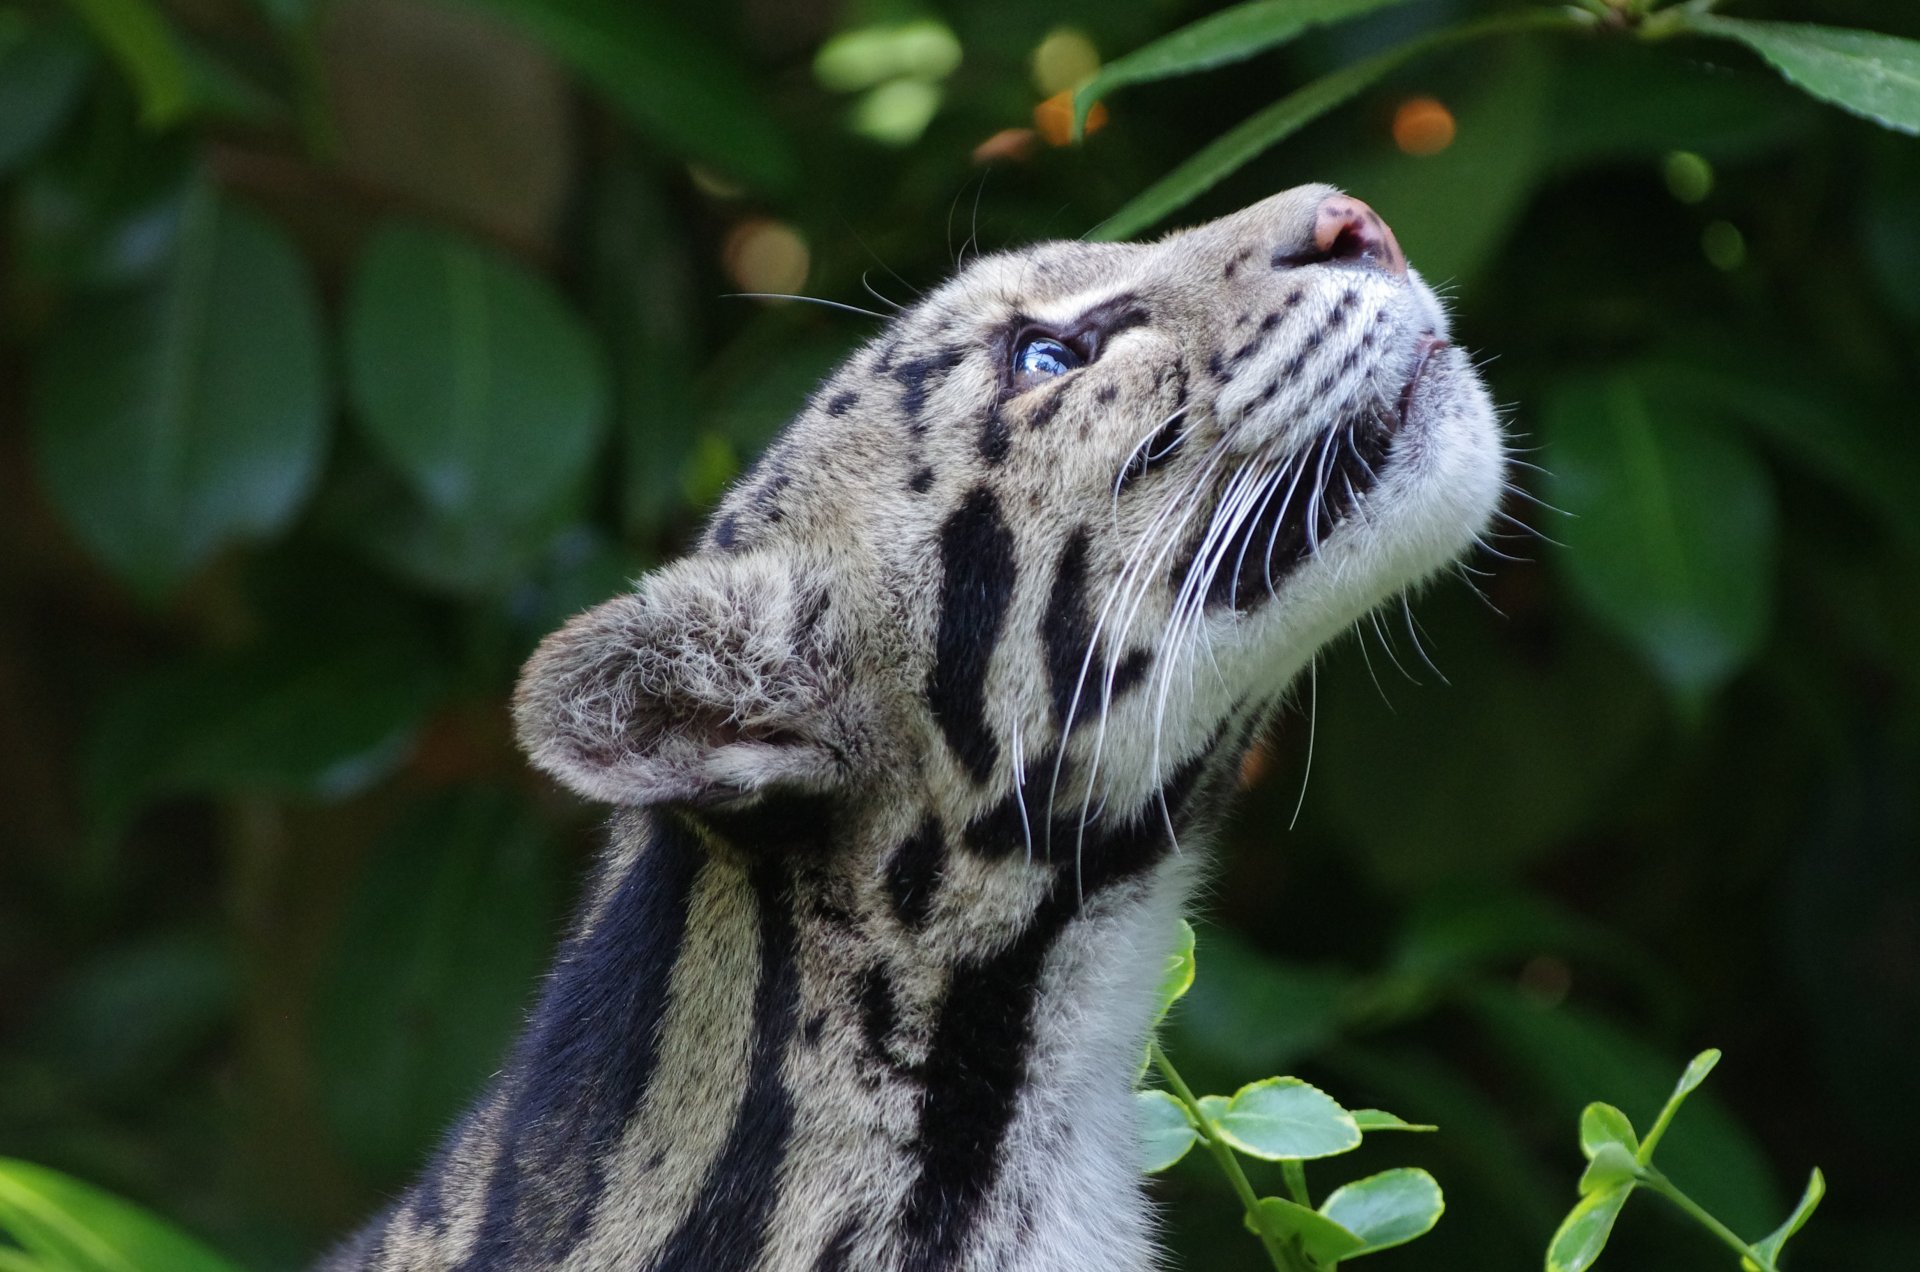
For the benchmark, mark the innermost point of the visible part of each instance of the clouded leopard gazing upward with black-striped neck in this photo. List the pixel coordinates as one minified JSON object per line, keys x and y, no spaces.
{"x":913,"y":758}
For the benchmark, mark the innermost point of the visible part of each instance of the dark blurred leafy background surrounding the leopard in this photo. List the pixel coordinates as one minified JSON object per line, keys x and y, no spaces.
{"x":350,"y":347}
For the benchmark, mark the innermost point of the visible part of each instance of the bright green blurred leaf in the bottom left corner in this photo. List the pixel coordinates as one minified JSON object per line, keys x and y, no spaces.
{"x":76,"y":1227}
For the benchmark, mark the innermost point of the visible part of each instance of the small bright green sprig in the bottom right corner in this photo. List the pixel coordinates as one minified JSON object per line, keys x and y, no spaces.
{"x":1618,"y":1162}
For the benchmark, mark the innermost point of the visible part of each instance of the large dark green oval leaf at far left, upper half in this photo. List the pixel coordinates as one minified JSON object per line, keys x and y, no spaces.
{"x":187,"y":416}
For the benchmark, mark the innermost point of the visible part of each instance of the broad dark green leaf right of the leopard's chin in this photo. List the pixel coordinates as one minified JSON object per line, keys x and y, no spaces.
{"x":1671,"y":531}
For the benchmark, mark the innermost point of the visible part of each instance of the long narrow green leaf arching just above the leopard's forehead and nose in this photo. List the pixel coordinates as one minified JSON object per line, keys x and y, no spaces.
{"x":1268,"y":128}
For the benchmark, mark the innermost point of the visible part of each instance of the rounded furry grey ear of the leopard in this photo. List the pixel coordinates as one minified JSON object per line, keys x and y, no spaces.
{"x":715,"y":681}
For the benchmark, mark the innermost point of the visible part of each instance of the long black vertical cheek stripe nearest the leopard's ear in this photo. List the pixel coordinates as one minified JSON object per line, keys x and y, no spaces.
{"x":976,"y":591}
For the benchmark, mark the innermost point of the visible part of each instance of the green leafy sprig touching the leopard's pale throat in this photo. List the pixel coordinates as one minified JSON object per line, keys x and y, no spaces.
{"x":1284,"y":1121}
